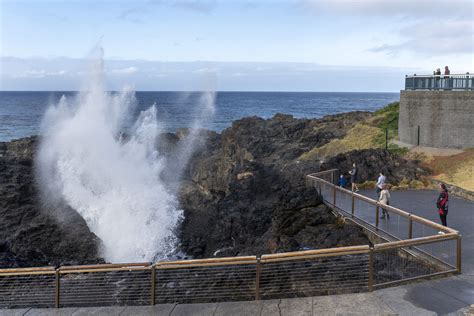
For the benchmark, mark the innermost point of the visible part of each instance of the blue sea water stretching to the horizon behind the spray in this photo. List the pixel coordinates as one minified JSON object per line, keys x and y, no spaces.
{"x":21,"y":112}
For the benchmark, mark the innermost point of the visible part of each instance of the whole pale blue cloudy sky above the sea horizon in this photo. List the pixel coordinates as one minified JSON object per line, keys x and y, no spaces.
{"x":292,"y":45}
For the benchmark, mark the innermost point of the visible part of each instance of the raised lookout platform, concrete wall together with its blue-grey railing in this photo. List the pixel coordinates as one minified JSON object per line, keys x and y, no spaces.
{"x":437,"y":111}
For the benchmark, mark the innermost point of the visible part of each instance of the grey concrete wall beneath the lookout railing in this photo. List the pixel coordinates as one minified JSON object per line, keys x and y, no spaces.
{"x":445,"y":118}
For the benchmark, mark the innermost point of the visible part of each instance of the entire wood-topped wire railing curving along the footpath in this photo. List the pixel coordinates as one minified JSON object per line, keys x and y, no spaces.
{"x":404,"y":252}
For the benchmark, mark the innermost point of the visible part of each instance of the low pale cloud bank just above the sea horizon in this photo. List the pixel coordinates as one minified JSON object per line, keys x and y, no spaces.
{"x":65,"y":74}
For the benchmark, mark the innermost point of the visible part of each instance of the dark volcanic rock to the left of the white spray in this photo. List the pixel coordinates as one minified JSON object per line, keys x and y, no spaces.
{"x":29,"y":234}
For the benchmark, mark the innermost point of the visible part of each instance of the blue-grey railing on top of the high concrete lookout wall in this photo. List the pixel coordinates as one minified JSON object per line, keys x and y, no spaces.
{"x":440,"y":82}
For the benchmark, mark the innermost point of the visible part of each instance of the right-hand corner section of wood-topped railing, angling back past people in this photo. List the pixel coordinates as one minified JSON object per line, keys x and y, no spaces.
{"x":411,"y":246}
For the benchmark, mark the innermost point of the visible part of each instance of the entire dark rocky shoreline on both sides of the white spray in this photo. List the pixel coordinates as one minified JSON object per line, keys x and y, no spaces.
{"x":243,"y":192}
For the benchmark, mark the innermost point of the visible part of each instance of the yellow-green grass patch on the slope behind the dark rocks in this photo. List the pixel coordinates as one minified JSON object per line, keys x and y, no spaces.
{"x":361,"y":136}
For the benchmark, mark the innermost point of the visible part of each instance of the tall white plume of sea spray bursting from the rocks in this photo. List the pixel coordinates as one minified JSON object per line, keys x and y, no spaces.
{"x":112,"y":181}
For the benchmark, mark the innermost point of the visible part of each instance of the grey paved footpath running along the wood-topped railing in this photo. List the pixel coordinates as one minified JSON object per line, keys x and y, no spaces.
{"x":447,"y":296}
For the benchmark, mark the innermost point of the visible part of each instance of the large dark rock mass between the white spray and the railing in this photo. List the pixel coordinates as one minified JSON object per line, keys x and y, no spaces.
{"x":247,"y":194}
